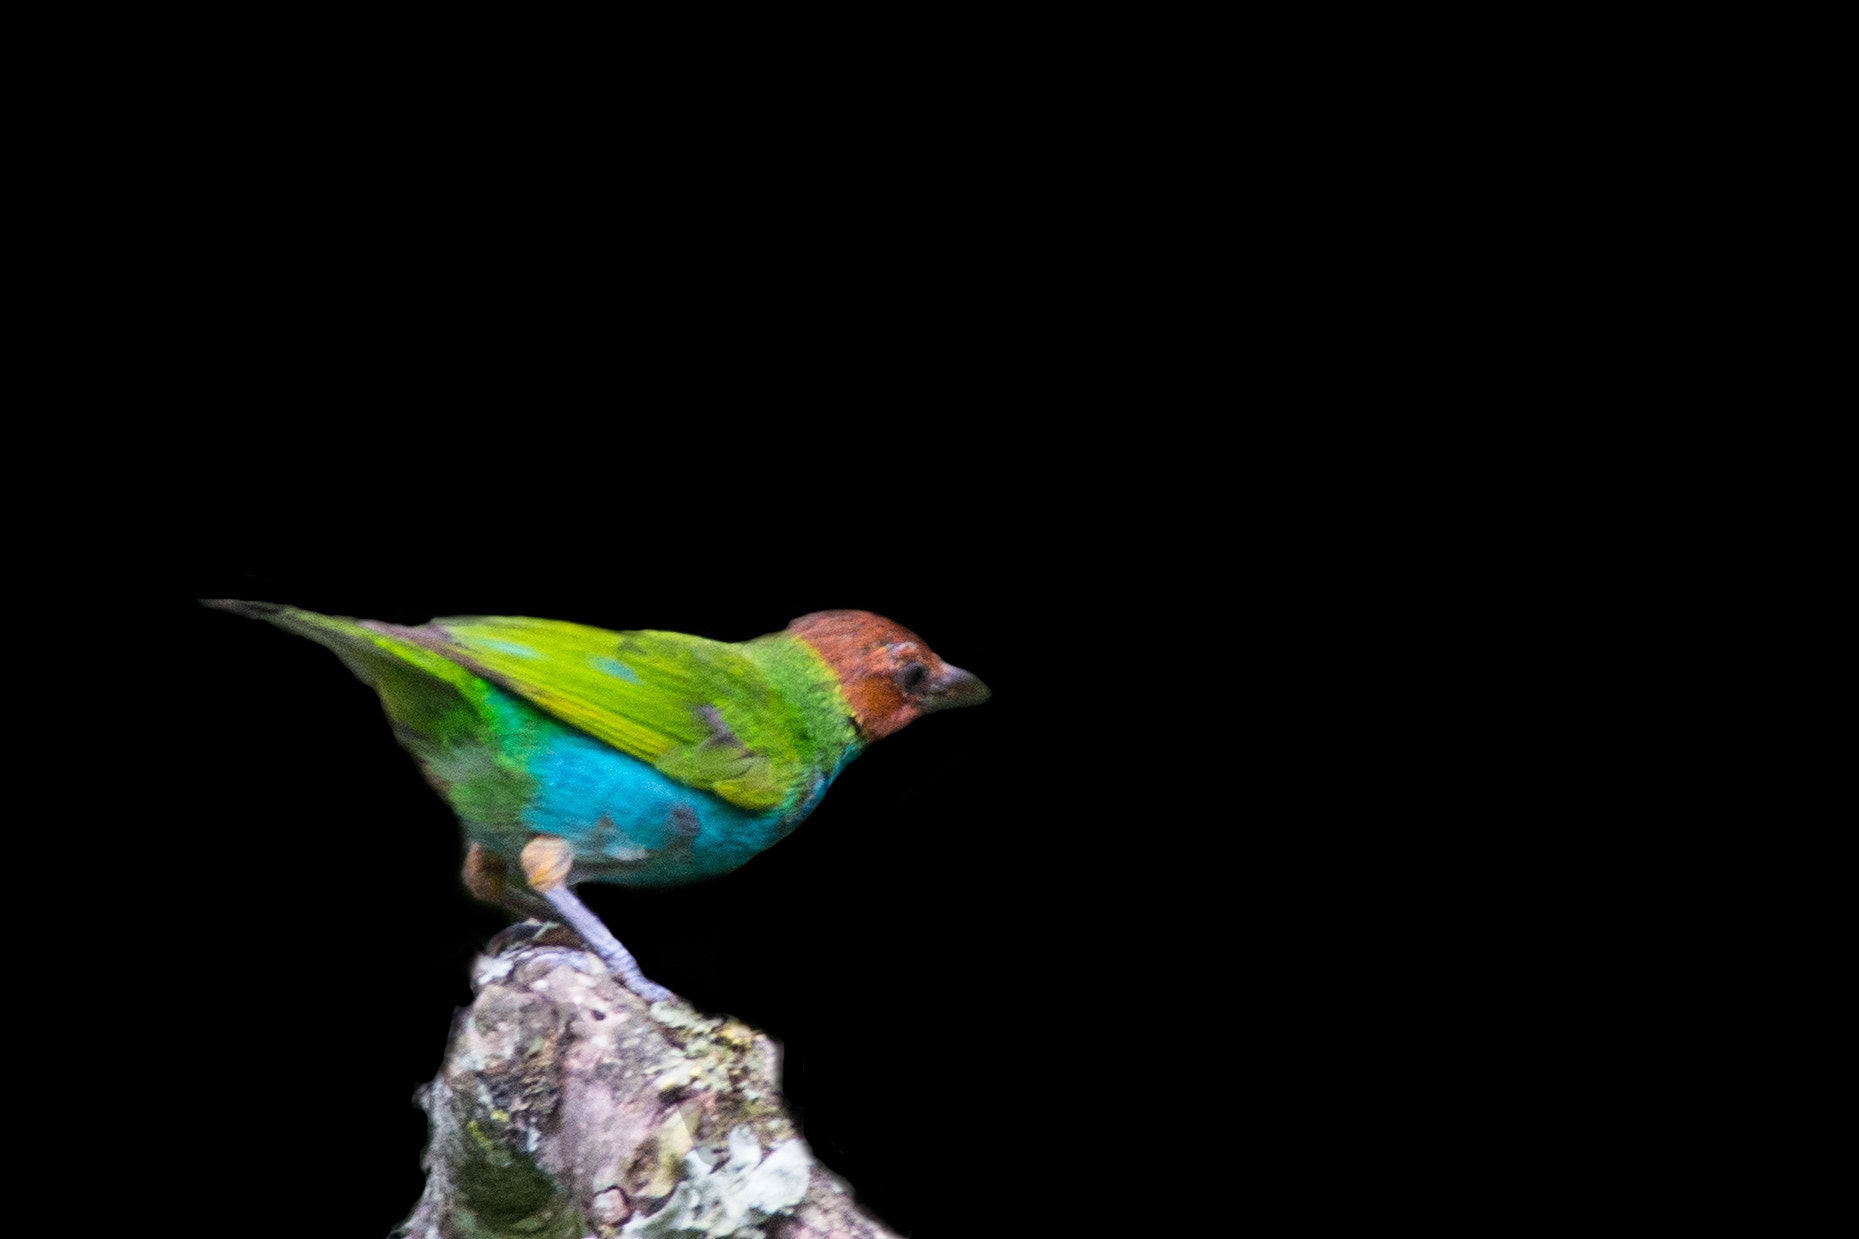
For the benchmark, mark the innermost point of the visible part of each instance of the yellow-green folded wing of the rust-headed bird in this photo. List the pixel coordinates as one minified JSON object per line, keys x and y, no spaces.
{"x":702,"y":712}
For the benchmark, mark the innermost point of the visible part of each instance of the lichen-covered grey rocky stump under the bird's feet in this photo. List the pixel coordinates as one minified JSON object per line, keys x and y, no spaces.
{"x":572,"y":1110}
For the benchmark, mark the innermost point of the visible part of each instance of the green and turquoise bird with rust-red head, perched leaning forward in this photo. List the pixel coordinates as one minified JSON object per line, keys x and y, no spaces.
{"x":633,"y":758}
